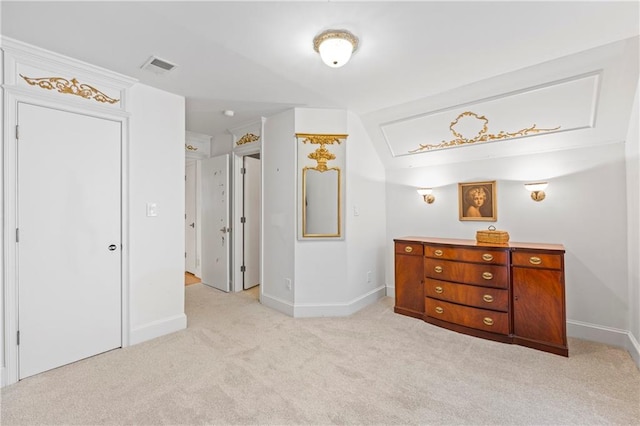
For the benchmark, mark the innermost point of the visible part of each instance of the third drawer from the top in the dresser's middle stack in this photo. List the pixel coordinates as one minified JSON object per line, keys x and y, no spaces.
{"x":481,"y":297}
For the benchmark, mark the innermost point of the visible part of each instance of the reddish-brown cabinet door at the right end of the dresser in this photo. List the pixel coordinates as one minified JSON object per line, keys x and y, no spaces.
{"x":538,"y":305}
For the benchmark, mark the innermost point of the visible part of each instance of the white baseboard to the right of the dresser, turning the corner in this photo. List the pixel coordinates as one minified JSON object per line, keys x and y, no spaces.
{"x":607,"y":335}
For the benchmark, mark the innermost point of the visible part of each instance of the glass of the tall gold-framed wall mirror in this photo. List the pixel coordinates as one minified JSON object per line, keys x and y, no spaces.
{"x":321,"y":202}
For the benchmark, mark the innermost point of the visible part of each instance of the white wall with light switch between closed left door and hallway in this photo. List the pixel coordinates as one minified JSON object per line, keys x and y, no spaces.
{"x":156,"y":244}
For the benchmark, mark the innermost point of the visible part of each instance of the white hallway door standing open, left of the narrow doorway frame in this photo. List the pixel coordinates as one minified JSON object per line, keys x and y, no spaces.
{"x":216,"y":238}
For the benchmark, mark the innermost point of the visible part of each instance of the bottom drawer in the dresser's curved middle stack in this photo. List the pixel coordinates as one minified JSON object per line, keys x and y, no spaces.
{"x":480,"y":319}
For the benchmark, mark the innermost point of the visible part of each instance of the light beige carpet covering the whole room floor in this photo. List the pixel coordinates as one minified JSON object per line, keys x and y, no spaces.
{"x":239,"y":362}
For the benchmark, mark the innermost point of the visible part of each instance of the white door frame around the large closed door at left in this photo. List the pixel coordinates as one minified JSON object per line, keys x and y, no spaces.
{"x":12,"y":96}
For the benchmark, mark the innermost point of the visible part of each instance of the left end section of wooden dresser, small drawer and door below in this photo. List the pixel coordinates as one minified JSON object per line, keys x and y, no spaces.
{"x":409,"y":282}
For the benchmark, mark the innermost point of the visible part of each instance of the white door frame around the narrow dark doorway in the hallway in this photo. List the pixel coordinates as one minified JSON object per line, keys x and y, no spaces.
{"x":238,"y":200}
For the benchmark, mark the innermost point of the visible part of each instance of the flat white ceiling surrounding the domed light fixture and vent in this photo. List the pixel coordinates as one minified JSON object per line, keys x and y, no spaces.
{"x":257,"y":59}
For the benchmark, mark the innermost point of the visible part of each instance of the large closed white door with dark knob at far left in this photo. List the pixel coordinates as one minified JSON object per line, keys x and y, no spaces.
{"x":69,"y":253}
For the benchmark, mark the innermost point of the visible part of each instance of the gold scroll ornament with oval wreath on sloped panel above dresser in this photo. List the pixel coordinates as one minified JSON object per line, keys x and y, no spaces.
{"x":482,"y":135}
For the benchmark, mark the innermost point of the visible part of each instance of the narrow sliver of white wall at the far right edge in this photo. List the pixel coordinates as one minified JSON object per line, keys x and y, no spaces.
{"x":633,"y":224}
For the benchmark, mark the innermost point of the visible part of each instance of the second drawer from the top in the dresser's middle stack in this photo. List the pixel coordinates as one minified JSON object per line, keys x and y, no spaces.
{"x":467,"y":273}
